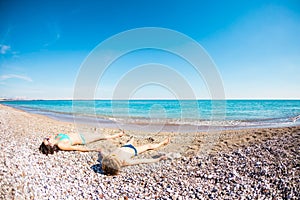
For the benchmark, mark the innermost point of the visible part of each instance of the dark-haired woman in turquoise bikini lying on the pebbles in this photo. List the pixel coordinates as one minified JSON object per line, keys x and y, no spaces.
{"x":66,"y":142}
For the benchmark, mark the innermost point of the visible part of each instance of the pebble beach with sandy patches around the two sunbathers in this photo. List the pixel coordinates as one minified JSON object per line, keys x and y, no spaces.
{"x":240,"y":164}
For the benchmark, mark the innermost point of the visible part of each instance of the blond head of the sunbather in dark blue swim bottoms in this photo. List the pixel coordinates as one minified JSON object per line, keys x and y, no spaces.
{"x":111,"y":165}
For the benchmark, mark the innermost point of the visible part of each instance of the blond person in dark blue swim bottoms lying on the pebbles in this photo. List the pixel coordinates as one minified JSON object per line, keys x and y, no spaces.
{"x":112,"y":163}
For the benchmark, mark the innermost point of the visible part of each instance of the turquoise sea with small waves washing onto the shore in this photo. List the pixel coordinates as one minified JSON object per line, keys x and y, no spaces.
{"x":168,"y":115}
